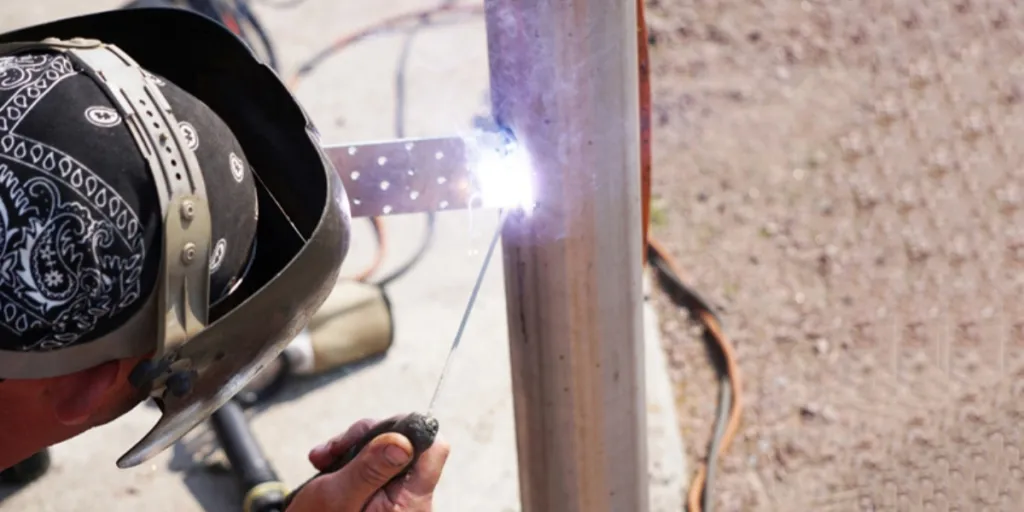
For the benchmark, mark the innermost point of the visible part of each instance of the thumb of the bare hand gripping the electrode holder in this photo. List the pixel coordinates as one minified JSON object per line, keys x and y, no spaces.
{"x":355,"y":485}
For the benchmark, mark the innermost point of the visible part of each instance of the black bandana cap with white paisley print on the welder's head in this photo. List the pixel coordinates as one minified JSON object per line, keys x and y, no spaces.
{"x":80,"y":227}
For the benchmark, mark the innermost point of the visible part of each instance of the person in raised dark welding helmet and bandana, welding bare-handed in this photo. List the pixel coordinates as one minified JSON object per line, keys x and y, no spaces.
{"x":168,"y":224}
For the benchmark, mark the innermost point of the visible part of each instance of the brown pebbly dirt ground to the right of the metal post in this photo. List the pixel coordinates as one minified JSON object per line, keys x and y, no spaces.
{"x":844,"y":181}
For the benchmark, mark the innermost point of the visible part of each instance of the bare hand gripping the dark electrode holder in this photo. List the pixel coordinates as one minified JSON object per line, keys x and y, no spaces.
{"x":363,"y":485}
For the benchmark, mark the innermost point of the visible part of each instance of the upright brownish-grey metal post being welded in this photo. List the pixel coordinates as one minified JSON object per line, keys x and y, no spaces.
{"x":564,"y":77}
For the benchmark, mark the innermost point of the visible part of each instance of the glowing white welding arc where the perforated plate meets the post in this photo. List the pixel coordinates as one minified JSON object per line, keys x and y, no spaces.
{"x":505,"y":179}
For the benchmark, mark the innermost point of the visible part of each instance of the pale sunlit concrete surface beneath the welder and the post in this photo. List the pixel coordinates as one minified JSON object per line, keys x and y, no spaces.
{"x":351,"y":99}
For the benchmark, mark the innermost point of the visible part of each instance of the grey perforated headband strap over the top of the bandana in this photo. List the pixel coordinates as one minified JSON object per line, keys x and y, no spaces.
{"x":184,"y":284}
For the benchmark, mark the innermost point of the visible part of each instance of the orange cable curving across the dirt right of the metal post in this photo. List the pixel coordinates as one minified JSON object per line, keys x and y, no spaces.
{"x":671,"y":280}
